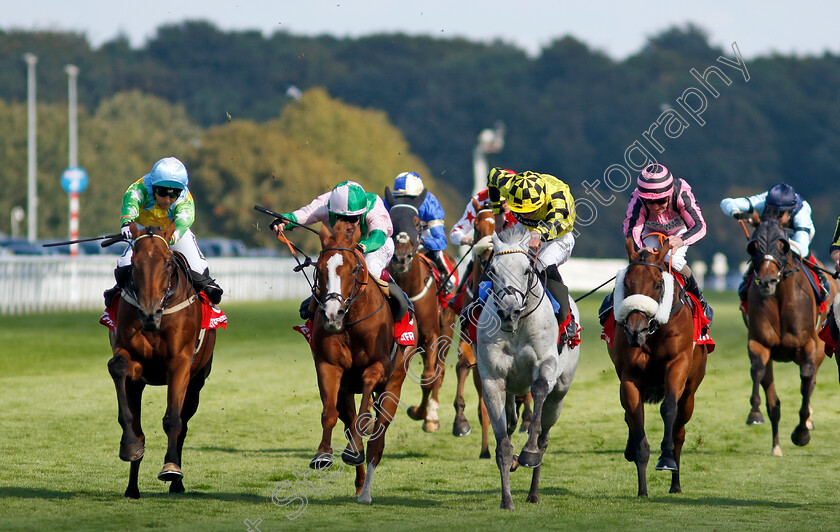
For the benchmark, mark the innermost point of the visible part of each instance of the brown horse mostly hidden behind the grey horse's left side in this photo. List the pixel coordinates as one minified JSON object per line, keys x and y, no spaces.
{"x":483,"y":226}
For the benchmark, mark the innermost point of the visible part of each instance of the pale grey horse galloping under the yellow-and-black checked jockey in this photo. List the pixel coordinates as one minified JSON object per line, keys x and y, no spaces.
{"x":517,"y":352}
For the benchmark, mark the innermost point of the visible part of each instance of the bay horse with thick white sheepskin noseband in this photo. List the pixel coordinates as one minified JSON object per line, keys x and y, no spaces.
{"x":656,"y":359}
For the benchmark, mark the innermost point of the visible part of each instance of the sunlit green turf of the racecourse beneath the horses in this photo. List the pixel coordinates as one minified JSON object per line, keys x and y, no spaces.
{"x":259,"y":425}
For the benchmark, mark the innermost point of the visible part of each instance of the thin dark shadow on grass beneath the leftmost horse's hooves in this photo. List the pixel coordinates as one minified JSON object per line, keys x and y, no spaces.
{"x":46,"y":494}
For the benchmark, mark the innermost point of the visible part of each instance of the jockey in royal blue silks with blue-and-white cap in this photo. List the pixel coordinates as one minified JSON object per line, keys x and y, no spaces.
{"x":431,"y":214}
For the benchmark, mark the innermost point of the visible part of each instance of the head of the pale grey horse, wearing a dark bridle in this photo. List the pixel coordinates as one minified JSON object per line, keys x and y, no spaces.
{"x":512,"y":274}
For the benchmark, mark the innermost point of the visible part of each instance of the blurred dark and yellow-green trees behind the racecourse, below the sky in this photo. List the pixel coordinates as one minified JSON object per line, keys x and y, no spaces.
{"x":378,"y":105}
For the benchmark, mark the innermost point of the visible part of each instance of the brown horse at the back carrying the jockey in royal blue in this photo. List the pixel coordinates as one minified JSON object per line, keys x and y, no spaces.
{"x":412,"y":272}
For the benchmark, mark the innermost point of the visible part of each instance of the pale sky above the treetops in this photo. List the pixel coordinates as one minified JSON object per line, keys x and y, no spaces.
{"x":617,"y":28}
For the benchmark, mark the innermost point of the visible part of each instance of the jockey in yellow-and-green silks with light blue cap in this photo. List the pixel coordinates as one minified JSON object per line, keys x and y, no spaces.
{"x":159,"y":199}
